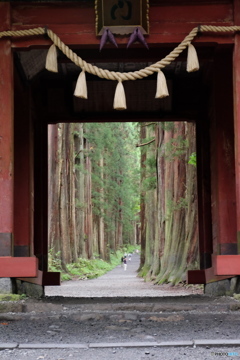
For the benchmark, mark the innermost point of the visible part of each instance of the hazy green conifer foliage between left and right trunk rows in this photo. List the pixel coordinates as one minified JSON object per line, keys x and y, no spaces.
{"x":115,"y":185}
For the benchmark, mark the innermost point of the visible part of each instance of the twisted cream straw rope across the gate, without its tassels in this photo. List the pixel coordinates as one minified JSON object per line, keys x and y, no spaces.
{"x":111,"y":75}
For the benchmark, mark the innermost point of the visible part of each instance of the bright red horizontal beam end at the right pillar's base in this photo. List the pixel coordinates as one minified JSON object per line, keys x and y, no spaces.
{"x":226,"y":264}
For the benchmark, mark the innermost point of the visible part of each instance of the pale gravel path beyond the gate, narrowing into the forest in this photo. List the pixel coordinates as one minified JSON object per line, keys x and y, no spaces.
{"x":118,"y":283}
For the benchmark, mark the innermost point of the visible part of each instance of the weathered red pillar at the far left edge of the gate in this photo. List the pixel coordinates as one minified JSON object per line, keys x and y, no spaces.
{"x":6,"y":136}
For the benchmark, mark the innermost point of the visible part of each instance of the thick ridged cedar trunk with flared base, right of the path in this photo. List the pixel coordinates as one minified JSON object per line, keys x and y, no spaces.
{"x":171,"y":245}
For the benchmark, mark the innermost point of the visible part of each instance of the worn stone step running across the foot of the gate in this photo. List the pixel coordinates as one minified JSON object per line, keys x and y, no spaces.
{"x":61,"y":305}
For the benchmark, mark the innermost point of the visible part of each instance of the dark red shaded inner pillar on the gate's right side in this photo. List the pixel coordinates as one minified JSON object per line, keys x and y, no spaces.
{"x":222,"y":158}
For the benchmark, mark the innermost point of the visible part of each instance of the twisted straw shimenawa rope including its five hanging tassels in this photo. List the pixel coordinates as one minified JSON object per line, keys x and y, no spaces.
{"x":119,"y":99}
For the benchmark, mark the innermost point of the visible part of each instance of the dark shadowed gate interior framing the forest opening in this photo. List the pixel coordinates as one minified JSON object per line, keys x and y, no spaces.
{"x":43,"y":98}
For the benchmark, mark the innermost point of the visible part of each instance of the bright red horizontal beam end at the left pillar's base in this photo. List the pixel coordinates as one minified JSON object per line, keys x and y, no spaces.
{"x":18,"y":266}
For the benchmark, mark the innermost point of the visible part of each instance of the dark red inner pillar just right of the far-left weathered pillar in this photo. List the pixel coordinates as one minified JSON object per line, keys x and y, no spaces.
{"x":23,"y":164}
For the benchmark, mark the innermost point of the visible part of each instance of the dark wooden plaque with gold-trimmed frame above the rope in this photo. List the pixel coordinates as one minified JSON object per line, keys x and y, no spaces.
{"x":122,"y":16}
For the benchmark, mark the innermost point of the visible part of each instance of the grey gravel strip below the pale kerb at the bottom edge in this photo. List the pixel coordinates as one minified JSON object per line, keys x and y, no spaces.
{"x":182,"y":353}
